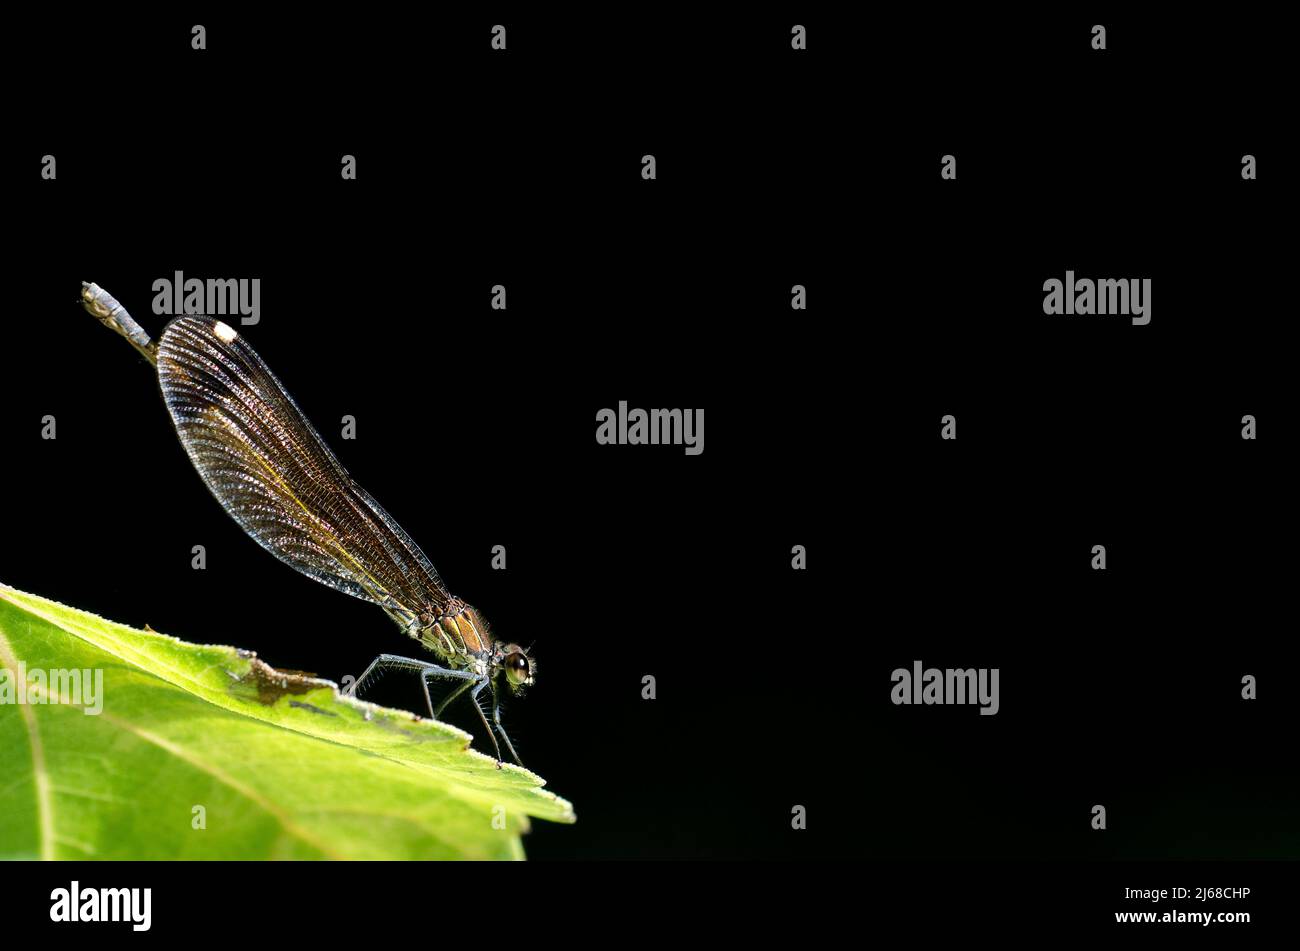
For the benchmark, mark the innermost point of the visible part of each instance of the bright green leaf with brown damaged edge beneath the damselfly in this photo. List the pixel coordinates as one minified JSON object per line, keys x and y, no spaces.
{"x":279,"y":766}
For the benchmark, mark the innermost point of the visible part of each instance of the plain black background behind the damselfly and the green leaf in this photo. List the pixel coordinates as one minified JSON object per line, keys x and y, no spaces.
{"x":822,"y":428}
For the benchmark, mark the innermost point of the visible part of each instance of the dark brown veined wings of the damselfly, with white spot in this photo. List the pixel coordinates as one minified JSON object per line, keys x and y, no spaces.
{"x":274,"y":474}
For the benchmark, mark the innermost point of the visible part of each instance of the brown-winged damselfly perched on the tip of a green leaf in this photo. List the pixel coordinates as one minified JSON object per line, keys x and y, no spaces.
{"x":279,"y":480}
